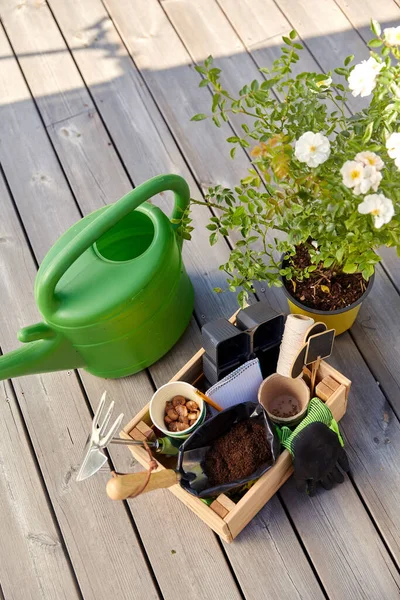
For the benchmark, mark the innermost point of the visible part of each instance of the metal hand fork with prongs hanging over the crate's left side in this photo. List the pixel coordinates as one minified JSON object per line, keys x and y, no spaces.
{"x":94,"y":456}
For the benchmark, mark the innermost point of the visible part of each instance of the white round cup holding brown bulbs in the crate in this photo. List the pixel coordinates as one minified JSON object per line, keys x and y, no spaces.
{"x":167,"y":392}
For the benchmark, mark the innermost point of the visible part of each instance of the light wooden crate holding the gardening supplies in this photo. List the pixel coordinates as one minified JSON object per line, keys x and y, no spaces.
{"x":224,"y":516}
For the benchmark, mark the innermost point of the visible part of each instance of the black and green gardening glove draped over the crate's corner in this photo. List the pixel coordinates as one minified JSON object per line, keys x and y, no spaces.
{"x":317,"y":449}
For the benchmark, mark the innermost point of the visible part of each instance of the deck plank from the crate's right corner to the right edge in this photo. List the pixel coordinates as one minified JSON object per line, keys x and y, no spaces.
{"x":372,"y":436}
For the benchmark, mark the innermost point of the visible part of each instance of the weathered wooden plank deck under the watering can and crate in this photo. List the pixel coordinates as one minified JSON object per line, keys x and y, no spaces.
{"x":96,"y":97}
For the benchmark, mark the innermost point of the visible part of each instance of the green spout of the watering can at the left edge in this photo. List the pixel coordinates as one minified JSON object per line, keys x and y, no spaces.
{"x":44,"y":350}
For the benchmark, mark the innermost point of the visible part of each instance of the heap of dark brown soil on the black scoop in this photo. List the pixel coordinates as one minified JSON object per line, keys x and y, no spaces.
{"x":238,"y":453}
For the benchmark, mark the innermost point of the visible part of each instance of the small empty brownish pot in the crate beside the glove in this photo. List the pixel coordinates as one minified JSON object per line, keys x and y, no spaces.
{"x":282,"y":393}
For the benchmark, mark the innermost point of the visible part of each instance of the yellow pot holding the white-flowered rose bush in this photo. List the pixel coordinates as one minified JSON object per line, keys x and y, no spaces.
{"x":340,"y":320}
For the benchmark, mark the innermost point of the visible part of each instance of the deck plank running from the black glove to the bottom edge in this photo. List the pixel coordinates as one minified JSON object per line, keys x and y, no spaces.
{"x":357,"y":565}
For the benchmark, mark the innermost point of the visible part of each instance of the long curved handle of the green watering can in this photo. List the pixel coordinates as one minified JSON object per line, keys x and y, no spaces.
{"x":104,"y":222}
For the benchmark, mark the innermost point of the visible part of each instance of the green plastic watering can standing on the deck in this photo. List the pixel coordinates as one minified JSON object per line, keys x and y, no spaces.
{"x":113,"y":290}
